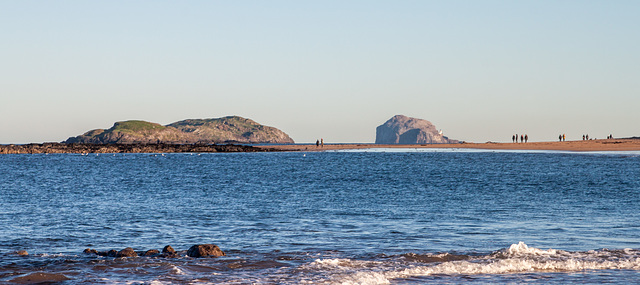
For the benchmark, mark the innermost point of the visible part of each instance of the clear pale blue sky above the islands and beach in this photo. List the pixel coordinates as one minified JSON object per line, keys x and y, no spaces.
{"x":479,"y":70}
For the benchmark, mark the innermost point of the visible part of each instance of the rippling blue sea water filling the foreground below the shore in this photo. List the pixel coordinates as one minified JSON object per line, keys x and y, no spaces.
{"x":377,"y":216}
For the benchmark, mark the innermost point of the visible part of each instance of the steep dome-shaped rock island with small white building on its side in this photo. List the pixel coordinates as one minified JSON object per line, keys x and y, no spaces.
{"x":405,"y":130}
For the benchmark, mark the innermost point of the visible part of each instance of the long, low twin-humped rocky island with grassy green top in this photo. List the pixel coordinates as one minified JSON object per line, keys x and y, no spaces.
{"x":232,"y":129}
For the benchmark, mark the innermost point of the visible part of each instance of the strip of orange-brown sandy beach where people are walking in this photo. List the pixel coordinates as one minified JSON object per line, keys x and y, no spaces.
{"x":591,"y":145}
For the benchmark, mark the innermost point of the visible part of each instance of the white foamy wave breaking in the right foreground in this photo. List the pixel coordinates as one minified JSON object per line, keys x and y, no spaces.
{"x":516,"y":259}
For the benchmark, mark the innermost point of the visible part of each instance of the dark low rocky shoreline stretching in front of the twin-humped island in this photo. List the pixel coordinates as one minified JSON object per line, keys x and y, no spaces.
{"x":83,"y":148}
